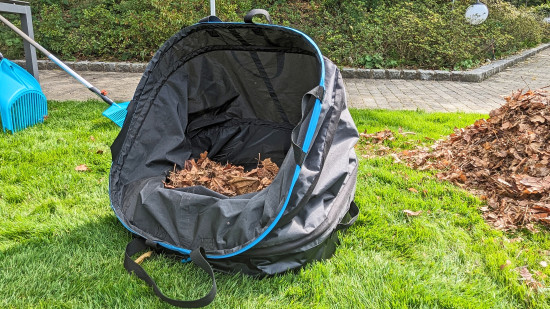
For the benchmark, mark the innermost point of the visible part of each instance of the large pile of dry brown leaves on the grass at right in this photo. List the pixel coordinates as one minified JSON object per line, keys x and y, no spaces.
{"x":504,"y":159}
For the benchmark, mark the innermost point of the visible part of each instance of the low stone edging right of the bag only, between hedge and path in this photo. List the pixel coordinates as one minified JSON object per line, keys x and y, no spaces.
{"x":475,"y":75}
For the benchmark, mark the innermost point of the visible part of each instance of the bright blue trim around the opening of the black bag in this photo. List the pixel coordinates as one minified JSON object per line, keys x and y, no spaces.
{"x":307,"y":142}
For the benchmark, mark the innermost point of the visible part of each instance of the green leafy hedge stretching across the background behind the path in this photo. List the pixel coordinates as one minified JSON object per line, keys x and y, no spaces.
{"x":430,"y":34}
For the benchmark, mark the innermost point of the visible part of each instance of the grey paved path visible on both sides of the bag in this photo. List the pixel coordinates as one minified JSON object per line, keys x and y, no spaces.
{"x":445,"y":96}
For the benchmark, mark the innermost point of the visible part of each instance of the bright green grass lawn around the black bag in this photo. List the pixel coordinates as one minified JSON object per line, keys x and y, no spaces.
{"x":62,"y":246}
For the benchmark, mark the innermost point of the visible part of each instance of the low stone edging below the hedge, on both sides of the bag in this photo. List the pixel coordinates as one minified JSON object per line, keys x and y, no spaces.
{"x":475,"y":75}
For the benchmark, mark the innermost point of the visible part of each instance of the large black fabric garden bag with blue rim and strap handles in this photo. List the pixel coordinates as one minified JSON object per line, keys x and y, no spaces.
{"x":237,"y":90}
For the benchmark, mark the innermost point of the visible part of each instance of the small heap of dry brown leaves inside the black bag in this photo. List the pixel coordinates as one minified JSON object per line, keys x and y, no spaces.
{"x":229,"y":180}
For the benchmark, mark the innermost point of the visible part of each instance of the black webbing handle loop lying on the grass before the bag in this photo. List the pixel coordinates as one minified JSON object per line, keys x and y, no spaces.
{"x":197,"y":256}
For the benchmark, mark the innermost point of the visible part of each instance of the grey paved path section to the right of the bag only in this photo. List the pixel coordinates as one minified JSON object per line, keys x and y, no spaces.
{"x":448,"y":96}
